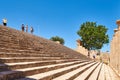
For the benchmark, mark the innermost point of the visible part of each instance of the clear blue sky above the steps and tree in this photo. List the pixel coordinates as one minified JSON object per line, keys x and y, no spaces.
{"x":60,"y":17}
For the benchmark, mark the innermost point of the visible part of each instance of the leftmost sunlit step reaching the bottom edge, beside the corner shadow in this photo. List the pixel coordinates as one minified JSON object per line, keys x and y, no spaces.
{"x":55,"y":73}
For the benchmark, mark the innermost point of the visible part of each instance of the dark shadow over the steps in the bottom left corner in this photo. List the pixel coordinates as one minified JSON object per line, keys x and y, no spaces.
{"x":8,"y":74}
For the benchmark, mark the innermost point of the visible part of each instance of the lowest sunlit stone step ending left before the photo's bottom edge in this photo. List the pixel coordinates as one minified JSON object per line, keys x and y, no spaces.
{"x":32,"y":71}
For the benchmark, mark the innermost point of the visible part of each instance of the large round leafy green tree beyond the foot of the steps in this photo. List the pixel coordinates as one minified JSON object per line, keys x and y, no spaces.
{"x":93,"y":36}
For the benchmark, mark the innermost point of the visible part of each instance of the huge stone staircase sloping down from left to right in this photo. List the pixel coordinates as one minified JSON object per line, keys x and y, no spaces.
{"x":27,"y":57}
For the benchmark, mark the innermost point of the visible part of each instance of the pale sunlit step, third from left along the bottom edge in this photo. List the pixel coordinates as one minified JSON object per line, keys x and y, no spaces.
{"x":85,"y":74}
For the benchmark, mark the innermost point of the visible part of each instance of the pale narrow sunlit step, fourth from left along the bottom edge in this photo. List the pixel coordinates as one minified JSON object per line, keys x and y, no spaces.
{"x":95,"y":74}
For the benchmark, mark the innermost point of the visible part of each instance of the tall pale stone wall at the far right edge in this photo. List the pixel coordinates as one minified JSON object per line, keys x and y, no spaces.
{"x":115,"y":50}
